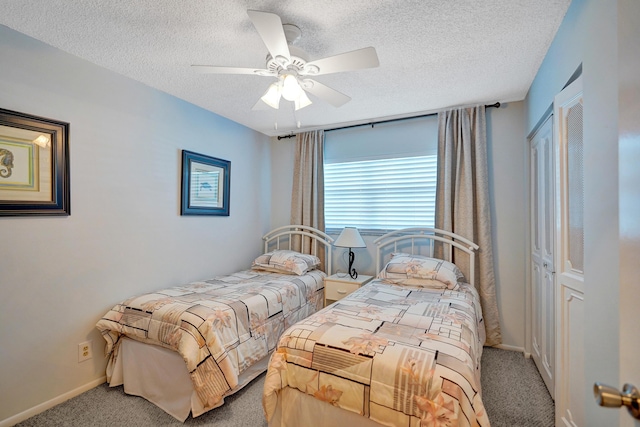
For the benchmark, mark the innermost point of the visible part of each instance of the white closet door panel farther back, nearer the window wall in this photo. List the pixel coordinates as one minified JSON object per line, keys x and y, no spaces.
{"x":542,"y":179}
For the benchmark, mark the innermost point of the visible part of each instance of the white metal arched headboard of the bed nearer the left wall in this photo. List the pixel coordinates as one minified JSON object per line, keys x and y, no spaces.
{"x":283,"y":237}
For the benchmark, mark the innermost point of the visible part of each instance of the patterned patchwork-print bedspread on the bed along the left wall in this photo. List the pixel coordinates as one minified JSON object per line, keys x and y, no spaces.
{"x":219,"y":326}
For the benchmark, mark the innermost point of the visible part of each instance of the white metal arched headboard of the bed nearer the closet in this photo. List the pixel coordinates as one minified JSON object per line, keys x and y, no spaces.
{"x":422,"y":241}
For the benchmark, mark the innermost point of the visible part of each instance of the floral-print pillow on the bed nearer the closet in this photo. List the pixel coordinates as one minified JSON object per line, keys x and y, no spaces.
{"x":417,"y":270}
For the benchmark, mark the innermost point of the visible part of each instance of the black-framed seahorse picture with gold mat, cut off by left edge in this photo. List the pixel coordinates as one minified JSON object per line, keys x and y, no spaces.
{"x":34,"y":165}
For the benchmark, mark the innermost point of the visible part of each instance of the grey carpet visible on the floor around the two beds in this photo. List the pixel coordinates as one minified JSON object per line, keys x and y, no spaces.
{"x":513,"y":394}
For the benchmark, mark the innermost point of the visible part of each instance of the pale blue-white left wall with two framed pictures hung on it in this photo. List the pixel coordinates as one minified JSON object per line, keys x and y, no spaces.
{"x":125,"y":234}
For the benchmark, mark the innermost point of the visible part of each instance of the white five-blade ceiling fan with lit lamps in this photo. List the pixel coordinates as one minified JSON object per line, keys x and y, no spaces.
{"x":291,"y":66}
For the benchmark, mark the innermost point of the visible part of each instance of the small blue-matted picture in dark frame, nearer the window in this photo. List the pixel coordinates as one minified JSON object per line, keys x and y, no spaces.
{"x":205,"y":185}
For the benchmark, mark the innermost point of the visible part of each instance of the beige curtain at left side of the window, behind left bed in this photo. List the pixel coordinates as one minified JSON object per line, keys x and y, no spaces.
{"x":307,"y":201}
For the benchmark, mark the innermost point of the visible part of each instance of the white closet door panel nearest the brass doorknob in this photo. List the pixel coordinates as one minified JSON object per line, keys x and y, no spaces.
{"x":570,"y":257}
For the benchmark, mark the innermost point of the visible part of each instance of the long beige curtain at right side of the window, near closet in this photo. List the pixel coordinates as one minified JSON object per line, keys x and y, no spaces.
{"x":462,"y":199}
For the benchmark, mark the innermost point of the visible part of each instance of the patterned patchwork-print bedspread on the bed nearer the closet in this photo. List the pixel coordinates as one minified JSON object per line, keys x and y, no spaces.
{"x":401,"y":356}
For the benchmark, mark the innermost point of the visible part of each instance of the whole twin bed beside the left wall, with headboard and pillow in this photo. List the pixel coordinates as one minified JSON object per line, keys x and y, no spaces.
{"x":187,"y":347}
